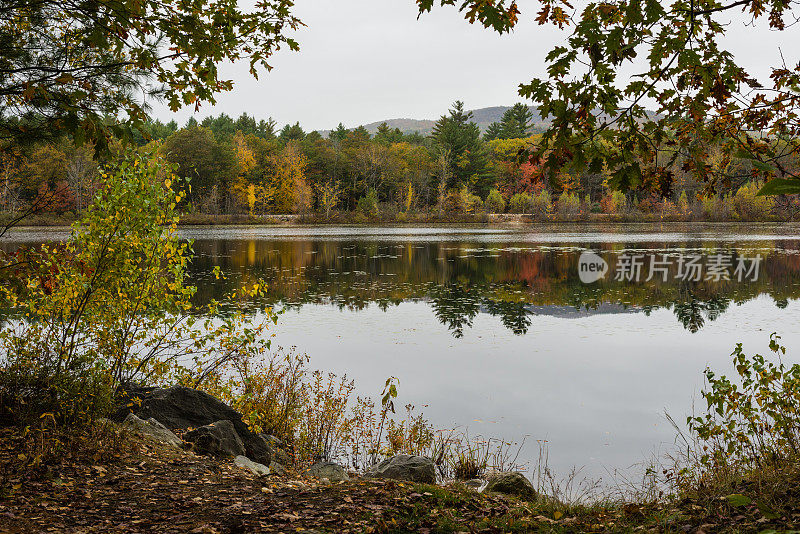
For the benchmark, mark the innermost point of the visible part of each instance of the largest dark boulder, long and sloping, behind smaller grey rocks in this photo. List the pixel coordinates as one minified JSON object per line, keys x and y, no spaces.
{"x":180,"y":408}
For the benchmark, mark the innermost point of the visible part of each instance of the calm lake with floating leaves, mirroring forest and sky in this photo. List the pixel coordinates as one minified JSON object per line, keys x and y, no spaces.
{"x":494,"y":329}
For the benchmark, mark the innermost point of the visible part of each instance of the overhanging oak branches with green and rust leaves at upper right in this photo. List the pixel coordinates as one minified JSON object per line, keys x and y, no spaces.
{"x":672,"y":54}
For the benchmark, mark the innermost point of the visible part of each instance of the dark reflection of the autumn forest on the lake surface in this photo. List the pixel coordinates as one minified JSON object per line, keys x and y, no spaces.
{"x":515,"y":281}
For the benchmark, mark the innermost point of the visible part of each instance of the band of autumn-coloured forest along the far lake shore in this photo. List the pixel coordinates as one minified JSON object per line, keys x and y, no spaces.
{"x":245,"y":166}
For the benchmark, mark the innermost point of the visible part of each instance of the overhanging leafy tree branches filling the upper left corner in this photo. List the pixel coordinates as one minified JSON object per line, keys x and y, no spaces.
{"x":67,"y":65}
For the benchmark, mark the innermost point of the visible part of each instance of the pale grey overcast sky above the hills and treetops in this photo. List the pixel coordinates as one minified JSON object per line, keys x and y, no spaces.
{"x":366,"y":60}
